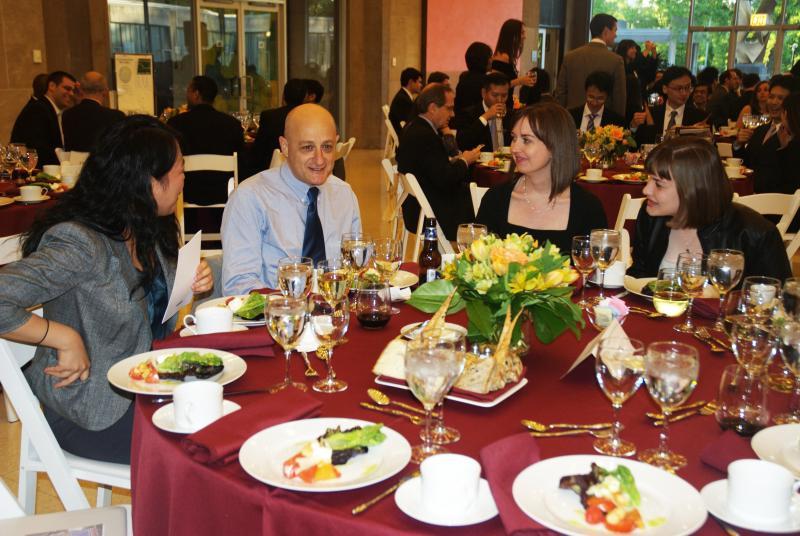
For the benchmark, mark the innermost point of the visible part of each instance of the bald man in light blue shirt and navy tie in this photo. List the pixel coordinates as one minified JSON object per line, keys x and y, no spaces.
{"x":298,"y":209}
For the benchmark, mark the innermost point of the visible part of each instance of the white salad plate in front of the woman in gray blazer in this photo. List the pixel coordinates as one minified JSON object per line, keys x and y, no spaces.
{"x":234,"y":368}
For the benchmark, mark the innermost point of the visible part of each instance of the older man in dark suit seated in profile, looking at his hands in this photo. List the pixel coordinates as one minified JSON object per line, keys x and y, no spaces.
{"x":423,"y":154}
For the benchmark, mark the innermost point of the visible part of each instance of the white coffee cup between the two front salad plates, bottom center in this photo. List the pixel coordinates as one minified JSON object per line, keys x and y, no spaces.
{"x":449,"y":484}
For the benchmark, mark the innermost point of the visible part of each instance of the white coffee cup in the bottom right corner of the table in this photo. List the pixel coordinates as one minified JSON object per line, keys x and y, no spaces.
{"x":760,"y":491}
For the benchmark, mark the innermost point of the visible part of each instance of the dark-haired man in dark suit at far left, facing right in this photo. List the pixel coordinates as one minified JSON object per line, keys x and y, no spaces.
{"x":38,"y":125}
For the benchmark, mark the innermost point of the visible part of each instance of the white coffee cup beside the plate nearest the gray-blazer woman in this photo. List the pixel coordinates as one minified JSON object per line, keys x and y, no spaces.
{"x":197,"y":404}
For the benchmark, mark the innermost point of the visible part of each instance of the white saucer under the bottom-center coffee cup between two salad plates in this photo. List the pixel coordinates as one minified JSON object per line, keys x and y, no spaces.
{"x":409,"y":499}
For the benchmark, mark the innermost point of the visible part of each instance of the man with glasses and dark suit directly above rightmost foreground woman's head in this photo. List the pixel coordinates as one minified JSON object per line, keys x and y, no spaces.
{"x":676,"y":84}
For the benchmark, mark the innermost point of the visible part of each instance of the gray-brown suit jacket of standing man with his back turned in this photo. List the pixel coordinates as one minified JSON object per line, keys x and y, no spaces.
{"x":580,"y":63}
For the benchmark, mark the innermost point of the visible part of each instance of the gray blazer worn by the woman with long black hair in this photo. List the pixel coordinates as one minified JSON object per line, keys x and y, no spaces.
{"x":84,"y":279}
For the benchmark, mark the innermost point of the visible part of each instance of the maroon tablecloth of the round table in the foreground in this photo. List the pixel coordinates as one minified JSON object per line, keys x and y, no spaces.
{"x":172,"y":494}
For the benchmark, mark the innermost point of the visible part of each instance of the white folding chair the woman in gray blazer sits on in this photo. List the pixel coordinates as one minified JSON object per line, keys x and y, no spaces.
{"x":39,"y":450}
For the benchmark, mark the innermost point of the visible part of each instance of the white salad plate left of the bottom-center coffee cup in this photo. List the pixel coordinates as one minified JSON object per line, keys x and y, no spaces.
{"x":262,"y":455}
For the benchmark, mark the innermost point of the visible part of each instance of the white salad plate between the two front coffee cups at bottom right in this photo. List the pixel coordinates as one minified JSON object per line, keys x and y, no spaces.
{"x":670,"y":505}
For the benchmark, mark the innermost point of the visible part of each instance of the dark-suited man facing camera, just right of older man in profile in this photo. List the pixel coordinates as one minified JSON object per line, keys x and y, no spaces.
{"x":486,"y":123}
